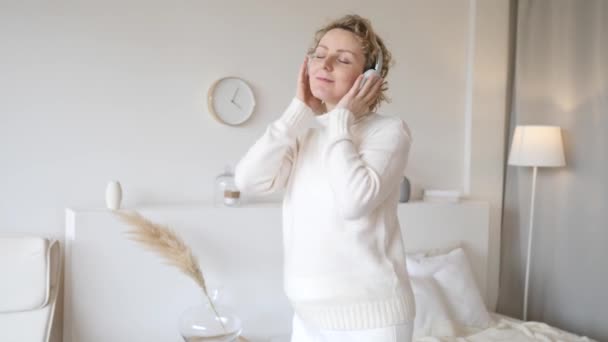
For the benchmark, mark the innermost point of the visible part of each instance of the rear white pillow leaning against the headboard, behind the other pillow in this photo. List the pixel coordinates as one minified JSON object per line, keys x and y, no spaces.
{"x":455,"y":279}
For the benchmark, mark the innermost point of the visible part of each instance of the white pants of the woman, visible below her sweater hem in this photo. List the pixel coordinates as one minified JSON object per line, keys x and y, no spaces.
{"x":301,"y":332}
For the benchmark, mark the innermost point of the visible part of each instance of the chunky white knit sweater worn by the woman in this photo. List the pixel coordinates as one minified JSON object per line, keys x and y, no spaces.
{"x":344,"y":265}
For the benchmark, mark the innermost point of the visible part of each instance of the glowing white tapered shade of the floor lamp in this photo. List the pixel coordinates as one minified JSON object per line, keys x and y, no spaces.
{"x":537,"y":146}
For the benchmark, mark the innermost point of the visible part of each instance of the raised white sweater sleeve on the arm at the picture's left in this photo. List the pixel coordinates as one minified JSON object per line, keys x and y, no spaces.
{"x":266,"y":166}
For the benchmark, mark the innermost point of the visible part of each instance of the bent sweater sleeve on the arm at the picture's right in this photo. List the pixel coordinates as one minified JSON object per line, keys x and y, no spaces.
{"x":362,"y":178}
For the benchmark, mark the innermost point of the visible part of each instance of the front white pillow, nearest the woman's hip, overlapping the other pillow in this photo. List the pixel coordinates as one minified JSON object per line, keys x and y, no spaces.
{"x":432,"y":316}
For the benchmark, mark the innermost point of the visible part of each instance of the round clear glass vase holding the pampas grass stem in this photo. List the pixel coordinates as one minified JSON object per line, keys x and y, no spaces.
{"x":210,"y":323}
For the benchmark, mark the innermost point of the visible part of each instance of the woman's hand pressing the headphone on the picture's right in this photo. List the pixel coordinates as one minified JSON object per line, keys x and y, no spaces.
{"x":358,"y":101}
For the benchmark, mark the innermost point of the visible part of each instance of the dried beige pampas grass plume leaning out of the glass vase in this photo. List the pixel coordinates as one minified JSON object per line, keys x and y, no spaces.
{"x":166,"y":243}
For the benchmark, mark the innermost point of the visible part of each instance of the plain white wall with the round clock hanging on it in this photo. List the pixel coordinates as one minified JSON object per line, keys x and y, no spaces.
{"x":116,"y":90}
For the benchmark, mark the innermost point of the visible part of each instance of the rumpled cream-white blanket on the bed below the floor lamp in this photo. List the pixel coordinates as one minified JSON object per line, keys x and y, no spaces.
{"x":512,"y":330}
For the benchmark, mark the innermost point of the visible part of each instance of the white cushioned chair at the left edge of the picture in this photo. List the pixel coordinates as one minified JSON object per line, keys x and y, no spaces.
{"x":30,"y":273}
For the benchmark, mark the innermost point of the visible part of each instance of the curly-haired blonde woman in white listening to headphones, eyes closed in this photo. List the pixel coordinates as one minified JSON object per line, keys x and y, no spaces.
{"x":340,"y":165}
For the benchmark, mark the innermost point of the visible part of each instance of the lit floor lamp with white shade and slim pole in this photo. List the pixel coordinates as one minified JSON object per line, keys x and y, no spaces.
{"x":535,"y":146}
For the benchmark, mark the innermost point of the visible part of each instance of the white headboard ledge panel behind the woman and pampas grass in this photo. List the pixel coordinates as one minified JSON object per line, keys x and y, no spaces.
{"x":117,"y":291}
